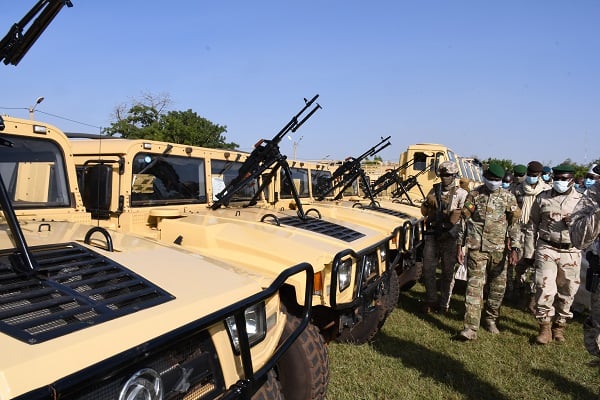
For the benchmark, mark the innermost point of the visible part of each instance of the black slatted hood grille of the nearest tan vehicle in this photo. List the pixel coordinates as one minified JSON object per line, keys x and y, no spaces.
{"x":74,"y":288}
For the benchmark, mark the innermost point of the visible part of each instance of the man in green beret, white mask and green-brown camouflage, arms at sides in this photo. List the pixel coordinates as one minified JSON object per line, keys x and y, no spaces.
{"x":490,"y":215}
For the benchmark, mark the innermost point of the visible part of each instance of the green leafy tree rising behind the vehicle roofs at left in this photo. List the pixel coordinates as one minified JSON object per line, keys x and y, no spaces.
{"x":146,"y":119}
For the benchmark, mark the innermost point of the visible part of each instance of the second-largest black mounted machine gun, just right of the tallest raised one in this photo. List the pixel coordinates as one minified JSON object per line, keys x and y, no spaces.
{"x":350,"y":170}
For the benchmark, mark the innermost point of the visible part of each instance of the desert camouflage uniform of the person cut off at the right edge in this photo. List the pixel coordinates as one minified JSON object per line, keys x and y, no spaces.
{"x":585,"y":232}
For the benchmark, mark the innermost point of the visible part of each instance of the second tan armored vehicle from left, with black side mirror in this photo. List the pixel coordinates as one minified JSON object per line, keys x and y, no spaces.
{"x":164,"y":191}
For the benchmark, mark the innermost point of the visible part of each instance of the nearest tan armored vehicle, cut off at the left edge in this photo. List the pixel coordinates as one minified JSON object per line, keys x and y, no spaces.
{"x":87,"y":311}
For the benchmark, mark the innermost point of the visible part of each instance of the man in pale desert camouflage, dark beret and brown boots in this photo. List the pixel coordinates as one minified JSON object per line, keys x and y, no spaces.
{"x":557,"y":261}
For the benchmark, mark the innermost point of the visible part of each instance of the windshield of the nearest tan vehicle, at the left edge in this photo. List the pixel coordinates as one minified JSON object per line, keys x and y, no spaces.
{"x":34,"y":173}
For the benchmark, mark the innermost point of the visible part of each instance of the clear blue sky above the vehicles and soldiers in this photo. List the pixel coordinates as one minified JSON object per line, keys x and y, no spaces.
{"x":511,"y":79}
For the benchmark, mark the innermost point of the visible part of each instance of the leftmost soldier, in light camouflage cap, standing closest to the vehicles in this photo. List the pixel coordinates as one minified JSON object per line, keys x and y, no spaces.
{"x":442,"y":209}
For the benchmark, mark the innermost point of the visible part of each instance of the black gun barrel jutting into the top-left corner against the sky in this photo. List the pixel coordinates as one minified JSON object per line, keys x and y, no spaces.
{"x":16,"y":43}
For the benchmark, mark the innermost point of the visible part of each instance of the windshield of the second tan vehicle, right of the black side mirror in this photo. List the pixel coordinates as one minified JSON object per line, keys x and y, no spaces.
{"x":159,"y":179}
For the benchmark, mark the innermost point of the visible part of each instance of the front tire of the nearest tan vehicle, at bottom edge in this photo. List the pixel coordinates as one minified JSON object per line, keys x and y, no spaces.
{"x":304,"y":368}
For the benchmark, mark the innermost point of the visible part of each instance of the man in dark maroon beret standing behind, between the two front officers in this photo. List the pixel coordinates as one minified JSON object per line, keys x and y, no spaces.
{"x":525,"y":193}
